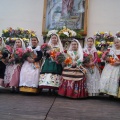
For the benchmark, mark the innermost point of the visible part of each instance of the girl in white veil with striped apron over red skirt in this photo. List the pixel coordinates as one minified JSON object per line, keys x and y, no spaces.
{"x":73,"y":83}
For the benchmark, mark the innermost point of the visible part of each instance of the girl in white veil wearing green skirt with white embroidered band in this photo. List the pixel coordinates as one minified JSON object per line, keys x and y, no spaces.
{"x":51,"y":71}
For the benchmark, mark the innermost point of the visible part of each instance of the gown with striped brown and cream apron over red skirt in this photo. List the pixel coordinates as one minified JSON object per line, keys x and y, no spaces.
{"x":73,"y":82}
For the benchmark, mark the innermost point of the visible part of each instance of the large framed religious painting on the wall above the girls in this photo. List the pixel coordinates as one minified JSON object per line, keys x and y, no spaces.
{"x":69,"y":13}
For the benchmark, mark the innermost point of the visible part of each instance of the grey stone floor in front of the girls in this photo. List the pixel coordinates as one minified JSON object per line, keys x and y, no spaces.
{"x":53,"y":107}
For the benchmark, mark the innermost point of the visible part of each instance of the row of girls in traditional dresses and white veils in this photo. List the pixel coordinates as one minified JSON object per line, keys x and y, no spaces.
{"x":76,"y":80}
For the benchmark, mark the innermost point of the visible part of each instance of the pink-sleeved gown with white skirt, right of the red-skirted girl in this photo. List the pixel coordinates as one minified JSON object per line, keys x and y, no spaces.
{"x":93,"y":74}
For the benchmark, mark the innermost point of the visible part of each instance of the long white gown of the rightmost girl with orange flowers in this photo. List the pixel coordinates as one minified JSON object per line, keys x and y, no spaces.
{"x":109,"y":82}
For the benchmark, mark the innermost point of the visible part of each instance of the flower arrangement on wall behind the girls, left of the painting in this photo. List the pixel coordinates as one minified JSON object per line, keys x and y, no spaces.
{"x":10,"y":35}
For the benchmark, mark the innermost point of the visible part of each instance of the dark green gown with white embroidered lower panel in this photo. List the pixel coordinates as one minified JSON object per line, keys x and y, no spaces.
{"x":51,"y":72}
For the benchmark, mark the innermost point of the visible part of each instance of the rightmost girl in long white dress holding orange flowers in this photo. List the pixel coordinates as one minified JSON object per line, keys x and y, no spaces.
{"x":109,"y":82}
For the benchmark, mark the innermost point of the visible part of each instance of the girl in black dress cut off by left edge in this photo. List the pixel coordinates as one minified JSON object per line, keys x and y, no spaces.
{"x":2,"y":64}
